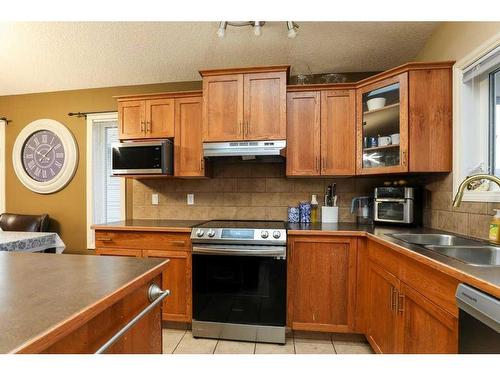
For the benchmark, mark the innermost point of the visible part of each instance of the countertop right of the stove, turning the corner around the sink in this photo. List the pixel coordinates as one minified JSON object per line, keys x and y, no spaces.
{"x":482,"y":277}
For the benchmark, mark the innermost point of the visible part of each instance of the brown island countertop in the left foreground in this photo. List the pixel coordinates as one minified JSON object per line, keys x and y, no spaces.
{"x":44,"y":294}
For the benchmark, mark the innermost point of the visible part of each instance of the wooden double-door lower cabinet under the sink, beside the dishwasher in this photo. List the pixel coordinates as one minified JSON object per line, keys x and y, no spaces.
{"x":402,"y":320}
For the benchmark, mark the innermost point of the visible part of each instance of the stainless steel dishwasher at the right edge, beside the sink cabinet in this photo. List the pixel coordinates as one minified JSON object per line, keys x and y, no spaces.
{"x":479,"y":321}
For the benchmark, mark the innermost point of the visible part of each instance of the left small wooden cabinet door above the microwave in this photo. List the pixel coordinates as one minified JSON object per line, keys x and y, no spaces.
{"x":131,"y":119}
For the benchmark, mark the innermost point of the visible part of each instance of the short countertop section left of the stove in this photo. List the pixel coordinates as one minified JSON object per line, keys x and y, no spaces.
{"x":150,"y":225}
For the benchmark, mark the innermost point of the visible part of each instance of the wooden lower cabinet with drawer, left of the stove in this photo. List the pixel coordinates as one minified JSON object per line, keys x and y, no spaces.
{"x":177,"y":276}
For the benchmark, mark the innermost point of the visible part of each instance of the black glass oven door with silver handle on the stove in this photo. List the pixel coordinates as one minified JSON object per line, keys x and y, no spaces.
{"x":238,"y":288}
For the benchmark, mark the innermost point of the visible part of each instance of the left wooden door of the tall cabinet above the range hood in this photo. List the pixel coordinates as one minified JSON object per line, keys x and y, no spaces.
{"x":223,"y":108}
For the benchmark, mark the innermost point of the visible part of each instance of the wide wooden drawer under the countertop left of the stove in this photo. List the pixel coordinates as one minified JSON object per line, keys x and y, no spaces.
{"x":143,"y":240}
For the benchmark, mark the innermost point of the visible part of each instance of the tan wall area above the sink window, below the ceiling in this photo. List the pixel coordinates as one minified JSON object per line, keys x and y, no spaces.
{"x":454,"y":40}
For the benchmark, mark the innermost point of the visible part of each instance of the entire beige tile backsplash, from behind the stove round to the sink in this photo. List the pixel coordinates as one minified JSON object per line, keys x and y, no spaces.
{"x":253,"y":191}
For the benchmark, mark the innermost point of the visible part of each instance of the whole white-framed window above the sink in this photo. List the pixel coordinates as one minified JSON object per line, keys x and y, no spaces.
{"x":477,"y":121}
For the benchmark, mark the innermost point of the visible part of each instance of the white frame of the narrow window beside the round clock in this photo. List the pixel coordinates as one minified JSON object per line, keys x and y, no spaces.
{"x":91,"y":119}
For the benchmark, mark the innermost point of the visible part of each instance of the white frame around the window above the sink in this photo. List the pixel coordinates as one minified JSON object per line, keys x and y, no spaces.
{"x":458,"y":147}
